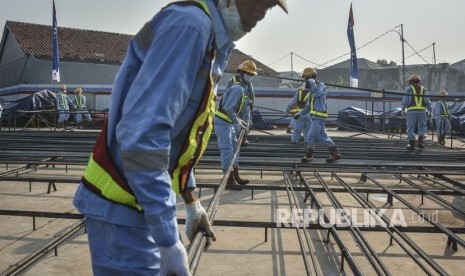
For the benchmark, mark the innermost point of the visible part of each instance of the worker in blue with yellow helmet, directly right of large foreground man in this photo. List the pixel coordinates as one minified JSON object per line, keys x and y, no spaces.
{"x":227,"y":120}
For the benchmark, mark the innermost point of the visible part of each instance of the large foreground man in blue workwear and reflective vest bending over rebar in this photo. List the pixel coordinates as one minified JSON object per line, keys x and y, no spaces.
{"x":159,"y":123}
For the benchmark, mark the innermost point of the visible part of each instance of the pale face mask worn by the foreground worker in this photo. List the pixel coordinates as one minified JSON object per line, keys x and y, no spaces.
{"x":231,"y":19}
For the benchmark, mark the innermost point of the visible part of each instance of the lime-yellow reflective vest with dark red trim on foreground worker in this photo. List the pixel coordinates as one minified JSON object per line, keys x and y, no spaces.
{"x":101,"y":175}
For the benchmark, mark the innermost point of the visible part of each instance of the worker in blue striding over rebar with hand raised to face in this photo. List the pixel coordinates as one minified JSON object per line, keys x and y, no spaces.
{"x":318,"y":110}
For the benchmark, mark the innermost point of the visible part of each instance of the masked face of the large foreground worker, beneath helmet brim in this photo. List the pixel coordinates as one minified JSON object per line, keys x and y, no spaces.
{"x":241,"y":16}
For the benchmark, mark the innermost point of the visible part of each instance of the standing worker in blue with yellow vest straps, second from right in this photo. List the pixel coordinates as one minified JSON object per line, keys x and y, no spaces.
{"x":416,"y":102}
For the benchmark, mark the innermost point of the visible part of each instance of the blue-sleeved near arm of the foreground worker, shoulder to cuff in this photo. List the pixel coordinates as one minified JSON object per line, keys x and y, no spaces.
{"x":156,"y":101}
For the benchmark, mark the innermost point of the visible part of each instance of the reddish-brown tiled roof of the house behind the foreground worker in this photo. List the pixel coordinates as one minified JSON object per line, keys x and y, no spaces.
{"x":94,"y":46}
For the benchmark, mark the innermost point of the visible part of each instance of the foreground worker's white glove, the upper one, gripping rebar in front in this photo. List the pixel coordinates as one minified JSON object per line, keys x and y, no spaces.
{"x":197,"y":220}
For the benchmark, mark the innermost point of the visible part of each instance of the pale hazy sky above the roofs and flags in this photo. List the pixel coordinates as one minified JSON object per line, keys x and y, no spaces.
{"x":314,"y":30}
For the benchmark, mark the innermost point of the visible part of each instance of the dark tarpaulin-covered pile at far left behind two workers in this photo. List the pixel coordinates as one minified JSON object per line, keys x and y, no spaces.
{"x":42,"y":100}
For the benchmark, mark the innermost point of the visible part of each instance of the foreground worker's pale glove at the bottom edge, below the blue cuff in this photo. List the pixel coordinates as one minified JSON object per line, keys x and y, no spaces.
{"x":173,"y":260}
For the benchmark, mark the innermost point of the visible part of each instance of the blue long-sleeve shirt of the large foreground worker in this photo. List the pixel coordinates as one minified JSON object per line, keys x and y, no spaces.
{"x":155,"y":97}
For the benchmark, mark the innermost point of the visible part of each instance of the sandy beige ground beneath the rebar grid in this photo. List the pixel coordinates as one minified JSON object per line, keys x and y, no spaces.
{"x":249,"y":241}
